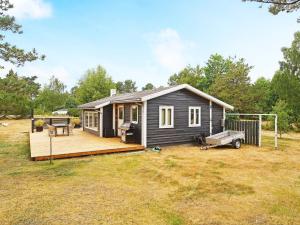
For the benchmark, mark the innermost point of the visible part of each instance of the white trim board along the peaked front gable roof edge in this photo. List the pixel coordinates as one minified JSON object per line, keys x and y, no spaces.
{"x":190,"y":88}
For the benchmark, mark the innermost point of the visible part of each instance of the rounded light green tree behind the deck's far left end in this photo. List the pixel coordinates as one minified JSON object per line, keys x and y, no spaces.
{"x":52,"y":97}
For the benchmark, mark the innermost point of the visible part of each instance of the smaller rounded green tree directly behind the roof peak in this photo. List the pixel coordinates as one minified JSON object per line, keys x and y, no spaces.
{"x":189,"y":75}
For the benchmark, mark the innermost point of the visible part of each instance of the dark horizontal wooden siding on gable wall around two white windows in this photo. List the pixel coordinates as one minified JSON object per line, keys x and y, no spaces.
{"x":181,"y":100}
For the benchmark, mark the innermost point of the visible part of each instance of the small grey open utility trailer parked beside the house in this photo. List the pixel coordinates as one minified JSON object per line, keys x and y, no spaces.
{"x":224,"y":138}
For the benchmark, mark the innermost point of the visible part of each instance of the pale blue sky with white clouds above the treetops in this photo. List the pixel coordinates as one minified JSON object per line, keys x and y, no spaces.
{"x":146,"y":40}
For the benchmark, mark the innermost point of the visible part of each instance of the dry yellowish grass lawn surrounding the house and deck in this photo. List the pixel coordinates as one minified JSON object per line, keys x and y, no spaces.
{"x":181,"y":185}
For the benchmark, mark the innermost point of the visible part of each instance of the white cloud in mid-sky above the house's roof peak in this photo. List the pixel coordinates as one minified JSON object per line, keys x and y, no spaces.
{"x":169,"y":49}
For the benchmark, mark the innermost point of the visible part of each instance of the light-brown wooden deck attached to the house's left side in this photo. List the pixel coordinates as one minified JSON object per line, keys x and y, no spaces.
{"x":79,"y":143}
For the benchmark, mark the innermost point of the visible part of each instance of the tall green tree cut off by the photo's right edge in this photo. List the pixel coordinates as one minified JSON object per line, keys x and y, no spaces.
{"x":286,"y":81}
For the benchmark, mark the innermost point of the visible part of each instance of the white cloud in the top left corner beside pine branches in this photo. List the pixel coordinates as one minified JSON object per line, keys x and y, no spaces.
{"x":33,"y":9}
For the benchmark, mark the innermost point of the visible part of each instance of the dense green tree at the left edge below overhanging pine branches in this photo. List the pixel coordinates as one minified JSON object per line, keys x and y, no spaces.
{"x":17,"y":94}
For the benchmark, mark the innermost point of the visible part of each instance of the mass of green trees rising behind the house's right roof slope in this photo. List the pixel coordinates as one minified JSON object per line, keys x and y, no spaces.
{"x":225,"y":78}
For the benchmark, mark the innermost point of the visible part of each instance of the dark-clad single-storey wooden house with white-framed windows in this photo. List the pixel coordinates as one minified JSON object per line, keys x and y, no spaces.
{"x":166,"y":115}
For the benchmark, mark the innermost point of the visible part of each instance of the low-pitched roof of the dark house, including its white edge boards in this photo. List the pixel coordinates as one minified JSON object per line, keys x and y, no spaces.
{"x":142,"y":96}
